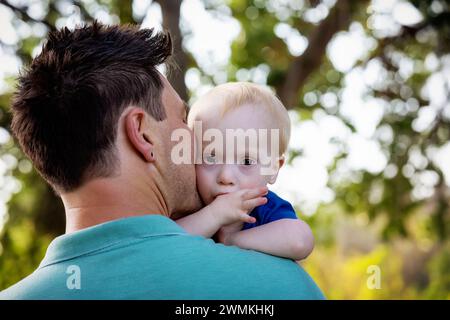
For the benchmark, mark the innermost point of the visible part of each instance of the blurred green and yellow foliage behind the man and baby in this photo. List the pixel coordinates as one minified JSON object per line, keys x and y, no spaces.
{"x":36,"y":215}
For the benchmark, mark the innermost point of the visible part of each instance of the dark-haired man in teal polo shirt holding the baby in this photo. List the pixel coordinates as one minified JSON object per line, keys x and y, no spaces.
{"x":95,"y":117}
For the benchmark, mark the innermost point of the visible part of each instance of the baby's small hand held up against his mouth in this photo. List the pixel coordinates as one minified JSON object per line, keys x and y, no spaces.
{"x":235,"y":206}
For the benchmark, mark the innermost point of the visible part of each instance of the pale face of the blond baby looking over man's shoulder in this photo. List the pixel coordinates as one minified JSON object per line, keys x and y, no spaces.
{"x":217,"y":174}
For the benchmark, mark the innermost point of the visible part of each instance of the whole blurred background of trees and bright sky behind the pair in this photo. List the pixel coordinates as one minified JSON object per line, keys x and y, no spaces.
{"x":367,"y":85}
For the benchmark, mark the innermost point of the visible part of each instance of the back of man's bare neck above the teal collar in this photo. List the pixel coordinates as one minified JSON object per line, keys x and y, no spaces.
{"x":103,"y":200}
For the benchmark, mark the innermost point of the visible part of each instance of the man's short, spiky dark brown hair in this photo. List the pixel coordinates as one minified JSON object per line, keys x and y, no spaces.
{"x":69,"y":100}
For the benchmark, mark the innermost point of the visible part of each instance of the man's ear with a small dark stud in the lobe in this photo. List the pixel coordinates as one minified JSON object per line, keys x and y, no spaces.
{"x":137,"y":130}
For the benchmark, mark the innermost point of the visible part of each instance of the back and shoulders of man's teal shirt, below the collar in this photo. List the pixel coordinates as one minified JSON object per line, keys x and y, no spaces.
{"x":175,"y":267}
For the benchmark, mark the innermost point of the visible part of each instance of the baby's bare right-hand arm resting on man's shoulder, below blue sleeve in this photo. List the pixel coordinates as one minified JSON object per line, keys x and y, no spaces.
{"x":288,"y":238}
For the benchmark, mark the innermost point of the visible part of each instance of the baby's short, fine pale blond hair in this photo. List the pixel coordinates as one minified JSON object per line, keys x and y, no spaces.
{"x":232,"y":95}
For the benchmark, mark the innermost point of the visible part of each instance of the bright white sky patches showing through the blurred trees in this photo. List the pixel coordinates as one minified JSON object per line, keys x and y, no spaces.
{"x":305,"y":182}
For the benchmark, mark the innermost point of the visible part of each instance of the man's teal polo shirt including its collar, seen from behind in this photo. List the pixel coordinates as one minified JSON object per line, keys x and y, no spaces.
{"x":151,"y":257}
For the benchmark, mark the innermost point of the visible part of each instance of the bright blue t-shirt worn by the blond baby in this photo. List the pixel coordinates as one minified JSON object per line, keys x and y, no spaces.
{"x":275,"y":209}
